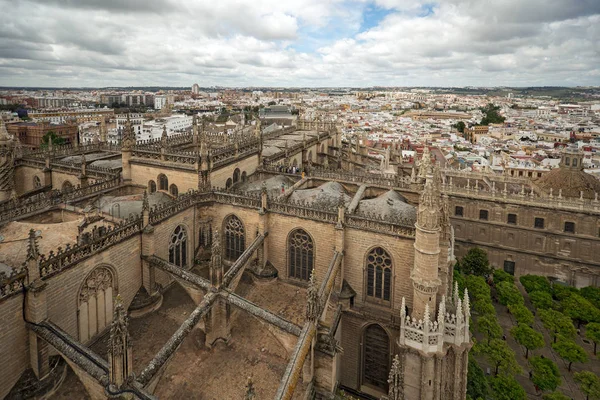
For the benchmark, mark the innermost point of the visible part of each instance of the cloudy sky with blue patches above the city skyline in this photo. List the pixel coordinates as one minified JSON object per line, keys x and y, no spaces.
{"x":98,"y":43}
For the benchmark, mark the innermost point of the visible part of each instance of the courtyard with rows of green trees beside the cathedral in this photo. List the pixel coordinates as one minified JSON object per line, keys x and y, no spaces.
{"x":533,"y":338}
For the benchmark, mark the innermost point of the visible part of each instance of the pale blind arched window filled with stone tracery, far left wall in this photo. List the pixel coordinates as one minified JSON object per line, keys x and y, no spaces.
{"x":95,"y":303}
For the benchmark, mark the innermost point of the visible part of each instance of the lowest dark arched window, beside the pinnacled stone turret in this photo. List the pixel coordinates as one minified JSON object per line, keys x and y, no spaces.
{"x":376,"y":357}
